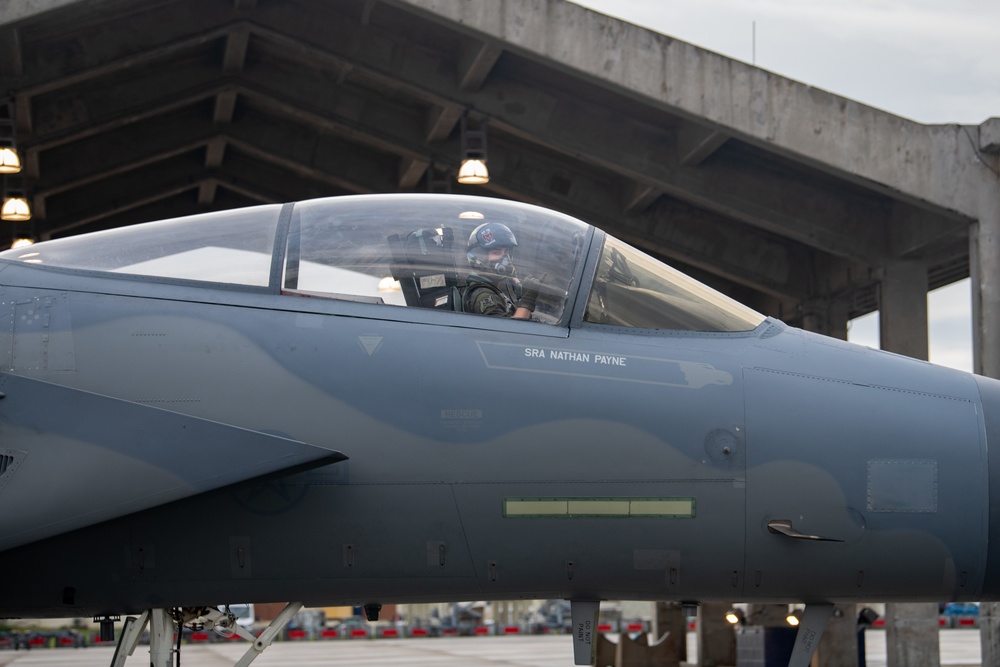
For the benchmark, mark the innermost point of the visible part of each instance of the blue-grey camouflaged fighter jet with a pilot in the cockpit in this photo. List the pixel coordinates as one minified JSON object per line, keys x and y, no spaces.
{"x":306,"y":402}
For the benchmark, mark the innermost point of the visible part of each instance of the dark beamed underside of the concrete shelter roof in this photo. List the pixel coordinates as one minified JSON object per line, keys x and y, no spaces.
{"x":135,"y":110}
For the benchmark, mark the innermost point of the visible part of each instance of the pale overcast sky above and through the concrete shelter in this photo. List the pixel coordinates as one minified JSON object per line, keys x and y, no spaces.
{"x":931,"y":61}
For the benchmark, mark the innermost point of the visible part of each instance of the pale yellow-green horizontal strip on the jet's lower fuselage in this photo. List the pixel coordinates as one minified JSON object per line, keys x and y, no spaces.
{"x":611,"y":508}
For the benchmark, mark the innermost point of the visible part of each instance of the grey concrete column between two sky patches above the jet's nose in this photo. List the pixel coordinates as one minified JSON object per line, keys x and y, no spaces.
{"x":903,"y":308}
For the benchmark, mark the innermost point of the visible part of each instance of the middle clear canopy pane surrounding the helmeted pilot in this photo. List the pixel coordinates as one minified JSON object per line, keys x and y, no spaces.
{"x":412,"y":250}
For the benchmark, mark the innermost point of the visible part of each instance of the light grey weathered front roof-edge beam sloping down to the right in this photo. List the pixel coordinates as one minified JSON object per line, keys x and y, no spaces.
{"x":935,"y":164}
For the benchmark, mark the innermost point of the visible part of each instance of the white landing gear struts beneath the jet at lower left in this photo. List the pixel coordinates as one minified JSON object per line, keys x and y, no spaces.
{"x":164,"y":623}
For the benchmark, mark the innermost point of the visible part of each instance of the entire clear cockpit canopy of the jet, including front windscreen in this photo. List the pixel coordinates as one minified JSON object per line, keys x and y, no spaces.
{"x":405,"y":251}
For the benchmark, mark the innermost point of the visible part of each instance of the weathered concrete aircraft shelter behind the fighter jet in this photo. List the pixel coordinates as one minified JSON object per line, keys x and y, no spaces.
{"x":805,"y":205}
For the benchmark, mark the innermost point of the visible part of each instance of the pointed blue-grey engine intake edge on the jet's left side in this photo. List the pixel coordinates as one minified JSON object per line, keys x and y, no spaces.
{"x":72,"y":458}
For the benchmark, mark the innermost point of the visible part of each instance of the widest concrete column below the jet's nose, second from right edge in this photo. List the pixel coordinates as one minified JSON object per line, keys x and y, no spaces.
{"x":911,"y":634}
